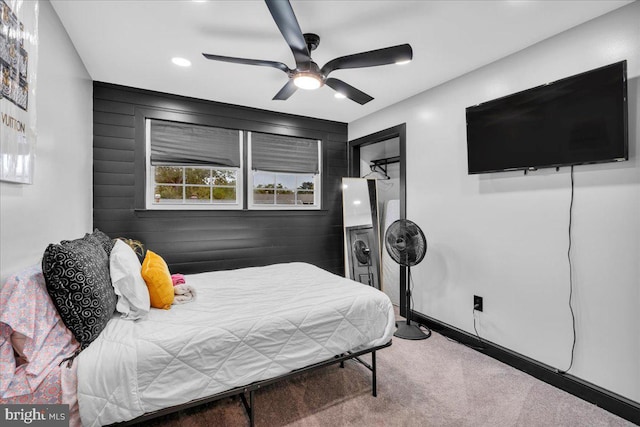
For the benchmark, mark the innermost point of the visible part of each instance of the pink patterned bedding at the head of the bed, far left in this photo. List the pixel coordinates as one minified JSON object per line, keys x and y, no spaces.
{"x":31,"y":327}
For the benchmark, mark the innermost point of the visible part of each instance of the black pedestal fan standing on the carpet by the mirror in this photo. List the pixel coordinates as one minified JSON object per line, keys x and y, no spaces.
{"x":406,"y":244}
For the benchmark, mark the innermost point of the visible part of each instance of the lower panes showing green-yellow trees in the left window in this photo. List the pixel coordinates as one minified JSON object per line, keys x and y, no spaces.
{"x":177,"y":184}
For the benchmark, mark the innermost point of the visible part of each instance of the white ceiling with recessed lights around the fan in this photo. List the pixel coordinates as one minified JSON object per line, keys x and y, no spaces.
{"x":131,"y":43}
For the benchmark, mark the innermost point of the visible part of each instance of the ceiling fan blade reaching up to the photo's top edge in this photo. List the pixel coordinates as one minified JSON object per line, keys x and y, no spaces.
{"x":287,"y":23}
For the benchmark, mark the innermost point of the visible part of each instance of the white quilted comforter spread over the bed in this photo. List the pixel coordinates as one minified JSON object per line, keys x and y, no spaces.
{"x":246,"y":325}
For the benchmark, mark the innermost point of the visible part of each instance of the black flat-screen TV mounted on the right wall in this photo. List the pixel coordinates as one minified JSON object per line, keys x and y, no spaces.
{"x":573,"y":121}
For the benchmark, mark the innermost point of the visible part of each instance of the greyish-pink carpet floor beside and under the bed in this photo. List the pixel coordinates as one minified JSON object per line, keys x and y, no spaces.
{"x":433,"y":382}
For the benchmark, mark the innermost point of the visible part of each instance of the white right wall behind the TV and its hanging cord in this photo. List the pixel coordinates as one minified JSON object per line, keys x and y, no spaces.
{"x":504,"y":236}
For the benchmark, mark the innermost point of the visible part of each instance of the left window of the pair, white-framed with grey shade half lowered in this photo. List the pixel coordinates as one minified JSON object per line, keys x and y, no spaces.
{"x":193,"y":167}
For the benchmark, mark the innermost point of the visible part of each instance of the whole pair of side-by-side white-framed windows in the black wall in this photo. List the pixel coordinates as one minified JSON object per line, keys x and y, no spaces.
{"x":201,"y":167}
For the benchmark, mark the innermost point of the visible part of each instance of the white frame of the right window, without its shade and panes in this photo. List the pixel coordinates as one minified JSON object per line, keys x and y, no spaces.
{"x":317,"y":184}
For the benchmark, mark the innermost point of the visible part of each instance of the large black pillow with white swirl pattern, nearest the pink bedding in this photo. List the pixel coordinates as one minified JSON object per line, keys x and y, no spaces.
{"x":76,"y":273}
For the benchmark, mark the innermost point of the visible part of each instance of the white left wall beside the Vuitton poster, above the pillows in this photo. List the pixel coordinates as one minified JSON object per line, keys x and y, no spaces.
{"x":59,"y":203}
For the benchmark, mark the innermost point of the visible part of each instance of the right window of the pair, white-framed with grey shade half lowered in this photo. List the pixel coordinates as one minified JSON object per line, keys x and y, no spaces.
{"x":285,"y":172}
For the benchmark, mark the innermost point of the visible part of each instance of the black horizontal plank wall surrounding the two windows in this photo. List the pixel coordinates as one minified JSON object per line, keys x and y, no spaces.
{"x":196,"y":241}
